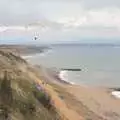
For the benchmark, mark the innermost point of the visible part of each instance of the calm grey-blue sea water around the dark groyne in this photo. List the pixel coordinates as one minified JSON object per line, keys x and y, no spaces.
{"x":100,"y":64}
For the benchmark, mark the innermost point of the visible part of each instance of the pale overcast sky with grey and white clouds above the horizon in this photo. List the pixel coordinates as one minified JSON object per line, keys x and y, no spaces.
{"x":59,"y":20}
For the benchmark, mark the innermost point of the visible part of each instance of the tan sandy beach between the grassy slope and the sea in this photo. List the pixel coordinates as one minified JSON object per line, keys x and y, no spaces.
{"x":90,"y":103}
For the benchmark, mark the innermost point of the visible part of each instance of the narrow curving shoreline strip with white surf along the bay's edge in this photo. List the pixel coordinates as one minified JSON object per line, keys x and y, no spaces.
{"x":60,"y":73}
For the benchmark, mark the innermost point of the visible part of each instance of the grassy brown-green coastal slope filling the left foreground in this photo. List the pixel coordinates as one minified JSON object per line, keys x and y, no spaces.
{"x":19,"y":98}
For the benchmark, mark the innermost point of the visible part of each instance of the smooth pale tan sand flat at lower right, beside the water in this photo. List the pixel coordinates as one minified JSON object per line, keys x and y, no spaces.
{"x":99,"y":100}
